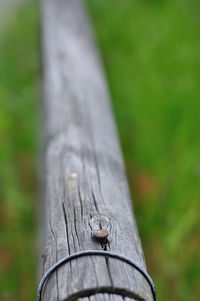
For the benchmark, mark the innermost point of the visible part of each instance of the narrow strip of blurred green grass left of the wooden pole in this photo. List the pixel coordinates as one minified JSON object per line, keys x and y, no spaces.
{"x":18,"y":102}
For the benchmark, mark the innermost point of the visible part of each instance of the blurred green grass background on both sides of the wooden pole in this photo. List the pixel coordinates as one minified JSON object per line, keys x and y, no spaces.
{"x":151,"y":51}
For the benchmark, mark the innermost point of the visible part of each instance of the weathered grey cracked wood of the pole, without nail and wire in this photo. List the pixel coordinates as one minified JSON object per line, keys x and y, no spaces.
{"x":85,"y":184}
